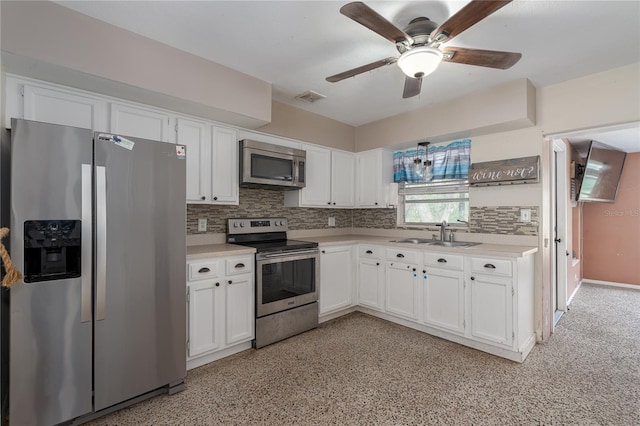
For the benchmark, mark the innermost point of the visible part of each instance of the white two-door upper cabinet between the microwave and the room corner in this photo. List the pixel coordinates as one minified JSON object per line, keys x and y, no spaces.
{"x":330,"y":179}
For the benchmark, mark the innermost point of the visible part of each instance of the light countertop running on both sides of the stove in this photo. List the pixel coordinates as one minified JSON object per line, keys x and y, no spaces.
{"x":501,"y":250}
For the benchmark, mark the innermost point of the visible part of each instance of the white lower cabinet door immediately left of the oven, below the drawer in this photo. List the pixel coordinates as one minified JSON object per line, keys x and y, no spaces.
{"x":239,"y":308}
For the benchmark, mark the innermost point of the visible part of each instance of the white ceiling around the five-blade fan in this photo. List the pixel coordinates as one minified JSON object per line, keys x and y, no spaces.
{"x":295,"y":45}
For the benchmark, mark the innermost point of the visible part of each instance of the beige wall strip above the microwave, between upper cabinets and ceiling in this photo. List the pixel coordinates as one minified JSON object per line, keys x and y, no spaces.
{"x":299,"y":124}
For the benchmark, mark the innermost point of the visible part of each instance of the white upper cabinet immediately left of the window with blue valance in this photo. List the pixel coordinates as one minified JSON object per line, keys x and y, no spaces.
{"x":373,"y":176}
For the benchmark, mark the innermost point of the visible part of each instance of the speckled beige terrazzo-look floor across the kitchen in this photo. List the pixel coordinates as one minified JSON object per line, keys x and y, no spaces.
{"x":360,"y":370}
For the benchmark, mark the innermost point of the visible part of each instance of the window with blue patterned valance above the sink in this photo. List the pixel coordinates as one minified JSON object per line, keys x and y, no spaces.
{"x":445,"y":196}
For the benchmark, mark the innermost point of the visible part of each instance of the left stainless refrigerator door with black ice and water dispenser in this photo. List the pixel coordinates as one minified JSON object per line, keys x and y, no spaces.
{"x":50,"y":328}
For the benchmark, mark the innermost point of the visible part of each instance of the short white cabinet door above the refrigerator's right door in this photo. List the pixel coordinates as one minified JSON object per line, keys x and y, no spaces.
{"x":139,"y":122}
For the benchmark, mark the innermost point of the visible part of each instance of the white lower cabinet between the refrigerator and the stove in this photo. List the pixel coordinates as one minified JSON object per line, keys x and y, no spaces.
{"x":220,"y":306}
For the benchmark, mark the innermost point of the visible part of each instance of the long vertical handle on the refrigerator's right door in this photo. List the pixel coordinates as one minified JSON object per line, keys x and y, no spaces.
{"x":101,"y":241}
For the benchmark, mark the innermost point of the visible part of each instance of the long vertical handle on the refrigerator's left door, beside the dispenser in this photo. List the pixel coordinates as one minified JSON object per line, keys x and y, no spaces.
{"x":85,"y":268}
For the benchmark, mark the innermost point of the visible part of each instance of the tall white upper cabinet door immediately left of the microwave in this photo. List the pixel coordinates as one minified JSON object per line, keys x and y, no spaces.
{"x":224,"y":166}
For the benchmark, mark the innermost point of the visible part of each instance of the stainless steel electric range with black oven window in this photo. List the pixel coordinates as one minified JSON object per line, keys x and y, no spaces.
{"x":287,"y":275}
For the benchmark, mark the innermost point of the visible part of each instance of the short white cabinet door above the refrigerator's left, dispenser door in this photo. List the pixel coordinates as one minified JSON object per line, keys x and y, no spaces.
{"x":60,"y":107}
